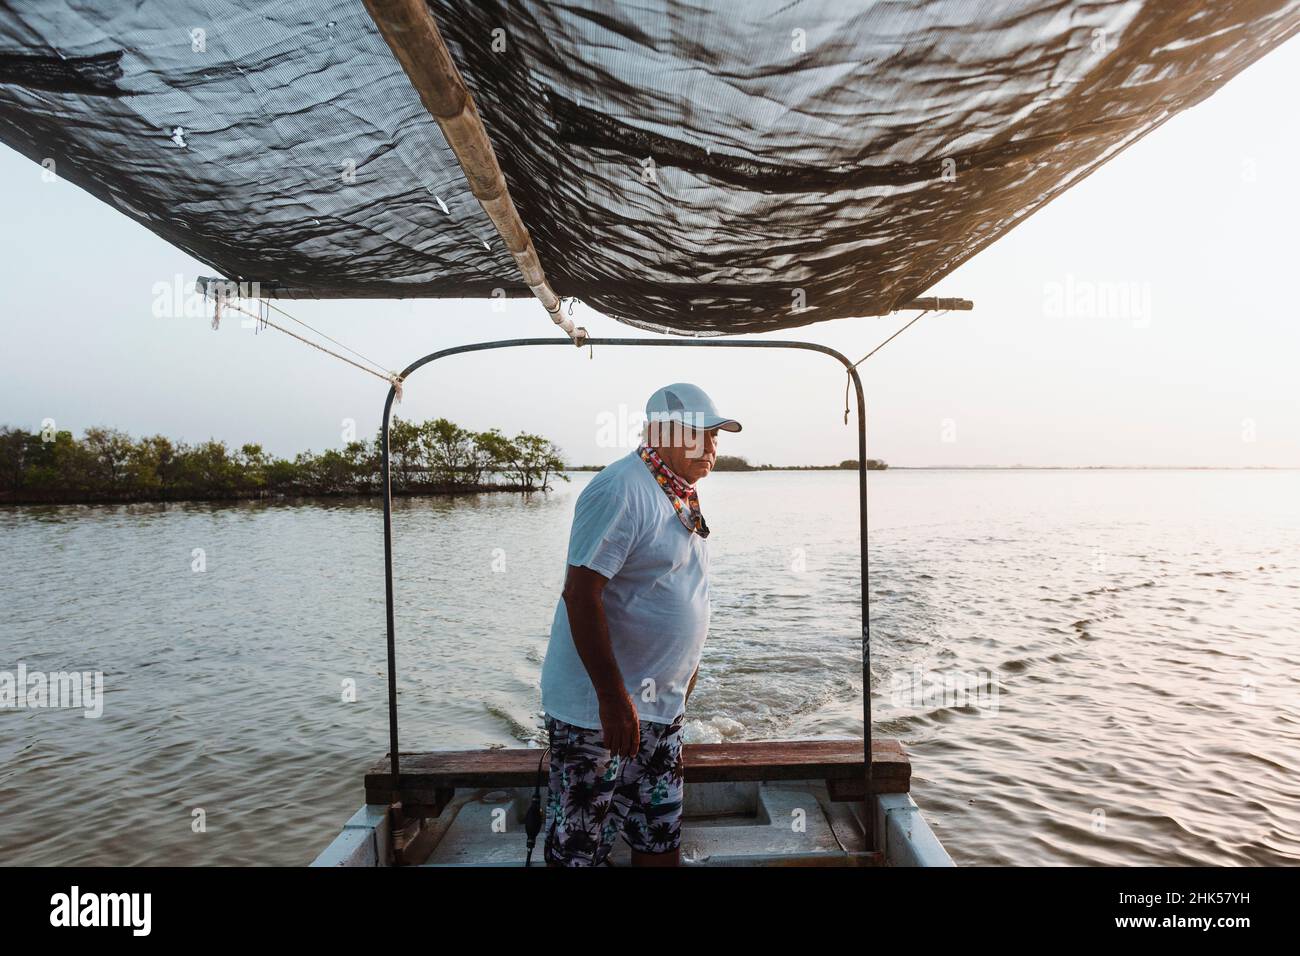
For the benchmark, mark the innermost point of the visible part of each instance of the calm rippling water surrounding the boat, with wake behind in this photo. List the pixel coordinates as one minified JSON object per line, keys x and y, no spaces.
{"x":1120,"y":651}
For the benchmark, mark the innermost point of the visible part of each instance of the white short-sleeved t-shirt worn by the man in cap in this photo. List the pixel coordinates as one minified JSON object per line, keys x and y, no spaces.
{"x":656,"y":604}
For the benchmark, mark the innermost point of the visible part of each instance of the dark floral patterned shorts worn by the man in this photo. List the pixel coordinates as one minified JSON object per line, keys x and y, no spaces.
{"x":596,"y":797}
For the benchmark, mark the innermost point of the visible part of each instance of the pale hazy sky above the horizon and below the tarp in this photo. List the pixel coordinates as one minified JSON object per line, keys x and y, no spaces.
{"x":1197,"y":223}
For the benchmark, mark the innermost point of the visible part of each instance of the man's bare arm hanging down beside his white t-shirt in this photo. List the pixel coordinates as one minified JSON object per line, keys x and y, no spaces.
{"x":584,"y":604}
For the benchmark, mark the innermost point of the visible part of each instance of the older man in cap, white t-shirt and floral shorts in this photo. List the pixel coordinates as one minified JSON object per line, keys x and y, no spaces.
{"x":626,"y":642}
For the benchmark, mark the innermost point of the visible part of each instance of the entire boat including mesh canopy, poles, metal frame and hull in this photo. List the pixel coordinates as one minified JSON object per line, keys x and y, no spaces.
{"x":707,"y":171}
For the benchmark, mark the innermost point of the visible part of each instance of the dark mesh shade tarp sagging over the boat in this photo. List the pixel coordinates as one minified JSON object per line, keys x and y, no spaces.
{"x":691,"y":167}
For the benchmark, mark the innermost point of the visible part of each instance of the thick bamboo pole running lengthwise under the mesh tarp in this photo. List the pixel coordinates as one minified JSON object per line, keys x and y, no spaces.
{"x":413,"y":34}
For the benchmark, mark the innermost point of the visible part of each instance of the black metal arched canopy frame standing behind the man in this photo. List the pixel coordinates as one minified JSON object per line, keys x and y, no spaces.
{"x":661,"y":344}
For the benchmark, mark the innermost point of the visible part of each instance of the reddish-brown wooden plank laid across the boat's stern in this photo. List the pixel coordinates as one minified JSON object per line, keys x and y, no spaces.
{"x":427,"y":777}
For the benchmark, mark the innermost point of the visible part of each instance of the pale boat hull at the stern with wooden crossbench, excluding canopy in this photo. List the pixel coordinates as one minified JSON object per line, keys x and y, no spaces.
{"x":795,"y":803}
